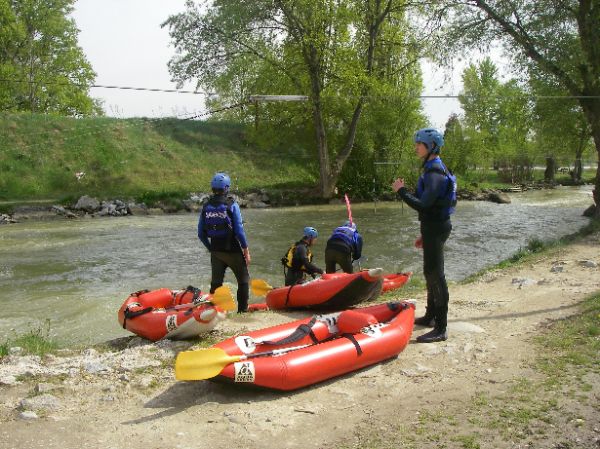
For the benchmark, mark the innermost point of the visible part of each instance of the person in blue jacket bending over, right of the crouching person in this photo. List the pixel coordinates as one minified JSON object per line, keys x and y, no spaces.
{"x":343,"y":247}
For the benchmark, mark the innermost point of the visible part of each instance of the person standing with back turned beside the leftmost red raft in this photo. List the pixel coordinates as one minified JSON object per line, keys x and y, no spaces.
{"x":221,"y":230}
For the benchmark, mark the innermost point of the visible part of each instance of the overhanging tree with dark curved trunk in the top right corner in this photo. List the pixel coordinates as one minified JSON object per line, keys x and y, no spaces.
{"x":561,"y":38}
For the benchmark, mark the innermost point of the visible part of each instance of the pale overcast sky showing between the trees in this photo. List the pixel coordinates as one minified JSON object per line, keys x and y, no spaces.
{"x":126,"y":46}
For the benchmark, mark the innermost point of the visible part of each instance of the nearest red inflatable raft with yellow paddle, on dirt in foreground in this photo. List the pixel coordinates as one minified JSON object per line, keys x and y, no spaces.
{"x":304,"y":352}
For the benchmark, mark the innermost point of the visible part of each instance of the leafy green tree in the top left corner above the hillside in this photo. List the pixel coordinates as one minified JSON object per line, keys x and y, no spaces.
{"x":41,"y":66}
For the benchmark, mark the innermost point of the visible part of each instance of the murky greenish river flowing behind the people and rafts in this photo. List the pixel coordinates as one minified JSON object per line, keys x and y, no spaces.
{"x":76,"y":274}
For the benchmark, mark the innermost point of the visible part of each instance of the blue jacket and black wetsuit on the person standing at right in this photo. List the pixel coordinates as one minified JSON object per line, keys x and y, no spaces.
{"x":434,"y":216}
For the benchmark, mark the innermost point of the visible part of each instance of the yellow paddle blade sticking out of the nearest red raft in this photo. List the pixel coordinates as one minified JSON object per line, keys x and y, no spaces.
{"x":202,"y":364}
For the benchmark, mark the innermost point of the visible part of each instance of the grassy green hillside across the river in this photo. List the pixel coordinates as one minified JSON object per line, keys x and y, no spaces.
{"x":41,"y":155}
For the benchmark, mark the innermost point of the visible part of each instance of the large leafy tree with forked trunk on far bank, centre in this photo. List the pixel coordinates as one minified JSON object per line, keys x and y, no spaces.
{"x":345,"y":54}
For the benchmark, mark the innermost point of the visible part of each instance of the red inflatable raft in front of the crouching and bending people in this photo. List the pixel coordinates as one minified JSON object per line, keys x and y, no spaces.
{"x":330,"y":291}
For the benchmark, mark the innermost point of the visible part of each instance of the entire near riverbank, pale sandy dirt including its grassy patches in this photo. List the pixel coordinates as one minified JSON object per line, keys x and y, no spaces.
{"x":520,"y":369}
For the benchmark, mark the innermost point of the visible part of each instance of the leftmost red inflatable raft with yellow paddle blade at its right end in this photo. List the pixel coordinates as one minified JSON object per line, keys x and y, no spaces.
{"x":174,"y":314}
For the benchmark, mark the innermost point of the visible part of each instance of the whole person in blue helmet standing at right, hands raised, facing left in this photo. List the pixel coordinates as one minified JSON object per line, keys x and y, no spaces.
{"x":434,"y":200}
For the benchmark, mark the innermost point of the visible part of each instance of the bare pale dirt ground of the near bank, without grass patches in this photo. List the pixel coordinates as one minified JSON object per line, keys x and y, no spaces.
{"x":491,"y":322}
